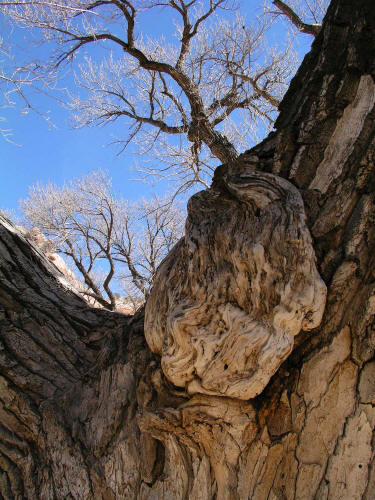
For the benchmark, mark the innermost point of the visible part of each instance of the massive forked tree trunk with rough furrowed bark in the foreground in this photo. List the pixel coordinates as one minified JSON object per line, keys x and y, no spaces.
{"x":86,"y":409}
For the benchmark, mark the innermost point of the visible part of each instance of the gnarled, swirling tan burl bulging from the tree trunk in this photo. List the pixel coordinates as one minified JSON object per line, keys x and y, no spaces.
{"x":230,"y":298}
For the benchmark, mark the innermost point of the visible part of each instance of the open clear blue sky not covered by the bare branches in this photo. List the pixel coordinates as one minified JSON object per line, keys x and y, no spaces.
{"x":41,"y":153}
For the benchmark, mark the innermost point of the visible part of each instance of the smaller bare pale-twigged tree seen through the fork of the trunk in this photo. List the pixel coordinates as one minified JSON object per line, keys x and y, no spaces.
{"x":108,"y":240}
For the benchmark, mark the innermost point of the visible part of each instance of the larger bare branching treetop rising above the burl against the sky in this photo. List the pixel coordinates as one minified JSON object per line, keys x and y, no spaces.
{"x":186,"y":99}
